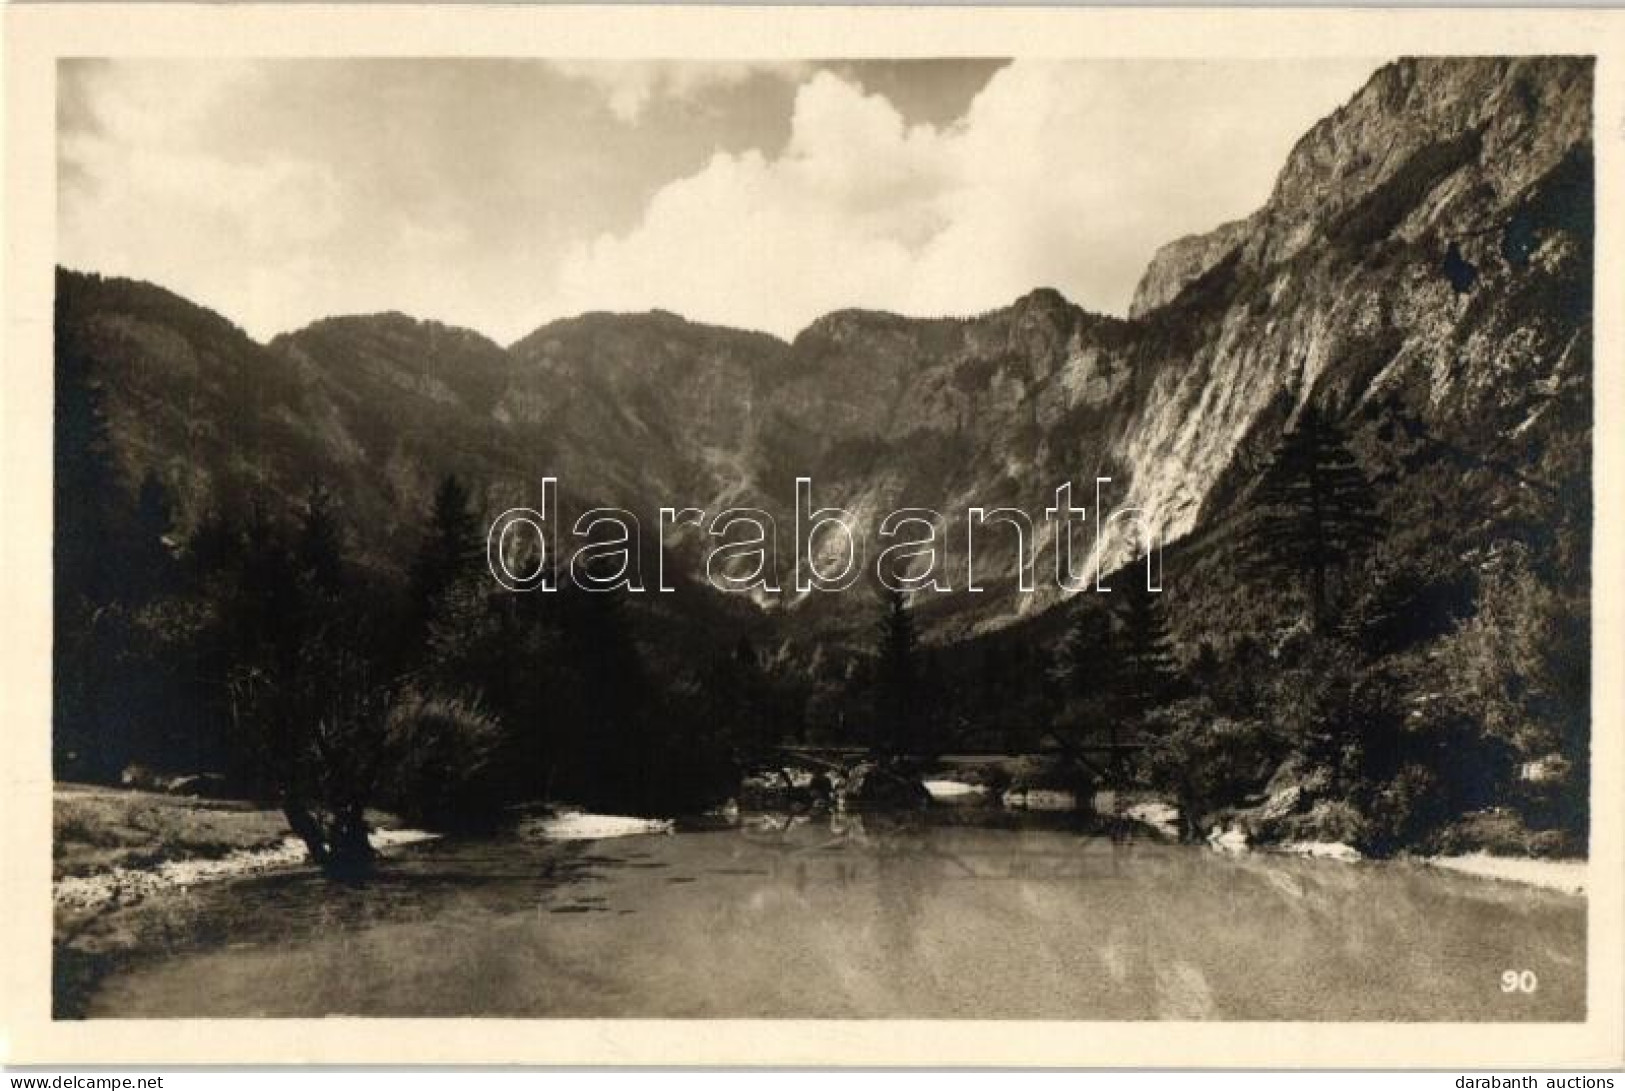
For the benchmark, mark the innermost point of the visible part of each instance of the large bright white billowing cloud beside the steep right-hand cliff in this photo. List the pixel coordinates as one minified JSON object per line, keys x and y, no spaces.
{"x":1064,"y":175}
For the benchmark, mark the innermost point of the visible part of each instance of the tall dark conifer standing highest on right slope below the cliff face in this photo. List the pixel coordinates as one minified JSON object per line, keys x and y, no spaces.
{"x":1315,"y":508}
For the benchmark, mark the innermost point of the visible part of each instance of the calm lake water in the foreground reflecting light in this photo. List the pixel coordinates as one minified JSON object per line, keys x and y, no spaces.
{"x":847,"y":918}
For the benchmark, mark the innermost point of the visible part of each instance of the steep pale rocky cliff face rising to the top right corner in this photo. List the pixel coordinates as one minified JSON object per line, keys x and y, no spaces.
{"x":1426,"y":246}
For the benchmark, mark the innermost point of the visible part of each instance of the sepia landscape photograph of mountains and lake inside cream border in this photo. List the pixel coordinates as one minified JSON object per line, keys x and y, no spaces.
{"x":844,"y":537}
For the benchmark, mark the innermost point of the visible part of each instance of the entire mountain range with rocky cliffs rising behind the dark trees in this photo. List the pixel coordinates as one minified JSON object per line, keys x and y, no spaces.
{"x":1424,"y":263}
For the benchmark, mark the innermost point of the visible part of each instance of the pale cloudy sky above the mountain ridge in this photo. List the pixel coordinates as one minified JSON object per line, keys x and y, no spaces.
{"x":505,"y":194}
